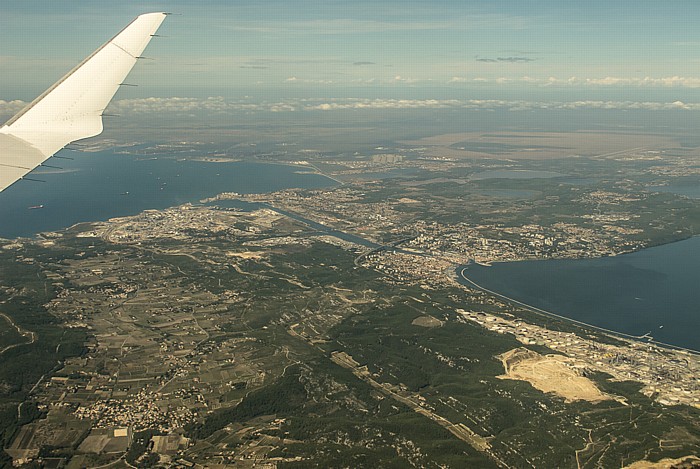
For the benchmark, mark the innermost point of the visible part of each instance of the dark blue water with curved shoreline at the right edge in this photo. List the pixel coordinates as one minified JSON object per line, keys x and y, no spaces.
{"x":650,"y":291}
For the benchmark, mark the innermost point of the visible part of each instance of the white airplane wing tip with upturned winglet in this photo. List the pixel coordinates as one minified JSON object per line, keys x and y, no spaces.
{"x":72,"y":108}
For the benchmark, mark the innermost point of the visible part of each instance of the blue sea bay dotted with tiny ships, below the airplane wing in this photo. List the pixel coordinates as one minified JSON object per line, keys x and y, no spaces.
{"x":101,"y":185}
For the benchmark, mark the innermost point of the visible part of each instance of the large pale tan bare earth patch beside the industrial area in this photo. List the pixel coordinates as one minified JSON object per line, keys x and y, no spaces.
{"x":550,"y":373}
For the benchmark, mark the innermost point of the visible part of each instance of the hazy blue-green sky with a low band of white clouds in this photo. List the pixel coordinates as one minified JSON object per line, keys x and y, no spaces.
{"x":551,"y":53}
